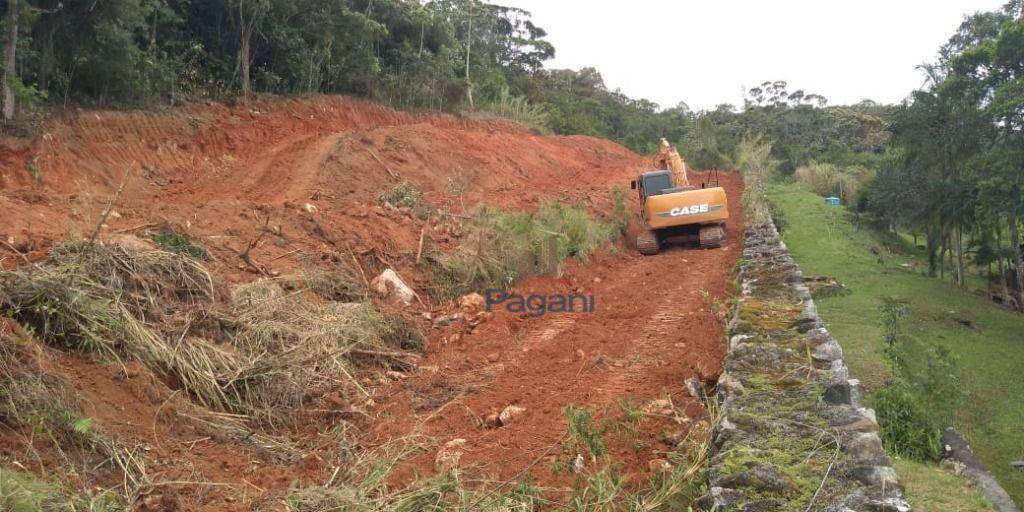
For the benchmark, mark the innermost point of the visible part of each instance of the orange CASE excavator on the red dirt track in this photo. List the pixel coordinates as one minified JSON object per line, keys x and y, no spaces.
{"x":676,"y":210}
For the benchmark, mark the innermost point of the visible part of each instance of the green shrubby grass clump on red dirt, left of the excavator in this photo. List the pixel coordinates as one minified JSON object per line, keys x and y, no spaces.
{"x":501,"y":247}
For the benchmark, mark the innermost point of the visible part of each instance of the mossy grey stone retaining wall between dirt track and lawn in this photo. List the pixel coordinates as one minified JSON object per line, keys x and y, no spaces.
{"x":794,"y":436}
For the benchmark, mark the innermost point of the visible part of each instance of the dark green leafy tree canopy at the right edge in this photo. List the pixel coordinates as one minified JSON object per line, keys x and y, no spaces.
{"x":958,"y":167}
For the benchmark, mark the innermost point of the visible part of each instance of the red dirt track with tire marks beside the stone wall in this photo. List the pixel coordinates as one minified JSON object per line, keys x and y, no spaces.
{"x":654,"y":329}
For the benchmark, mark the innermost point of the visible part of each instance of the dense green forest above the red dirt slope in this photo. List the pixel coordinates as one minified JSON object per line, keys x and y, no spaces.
{"x":448,"y":56}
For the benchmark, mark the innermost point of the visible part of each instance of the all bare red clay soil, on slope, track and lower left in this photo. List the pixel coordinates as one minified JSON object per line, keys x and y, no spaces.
{"x":310,"y":174}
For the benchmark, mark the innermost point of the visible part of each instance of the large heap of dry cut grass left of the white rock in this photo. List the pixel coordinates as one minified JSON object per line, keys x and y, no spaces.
{"x":264,"y":357}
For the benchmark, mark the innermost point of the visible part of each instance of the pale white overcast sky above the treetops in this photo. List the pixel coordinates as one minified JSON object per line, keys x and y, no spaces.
{"x":705,"y":53}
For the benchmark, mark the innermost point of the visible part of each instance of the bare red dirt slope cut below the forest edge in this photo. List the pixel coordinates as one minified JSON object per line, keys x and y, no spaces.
{"x":206,"y":169}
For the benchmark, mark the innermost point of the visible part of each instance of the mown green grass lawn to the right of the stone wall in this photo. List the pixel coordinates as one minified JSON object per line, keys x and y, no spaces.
{"x":990,"y":352}
